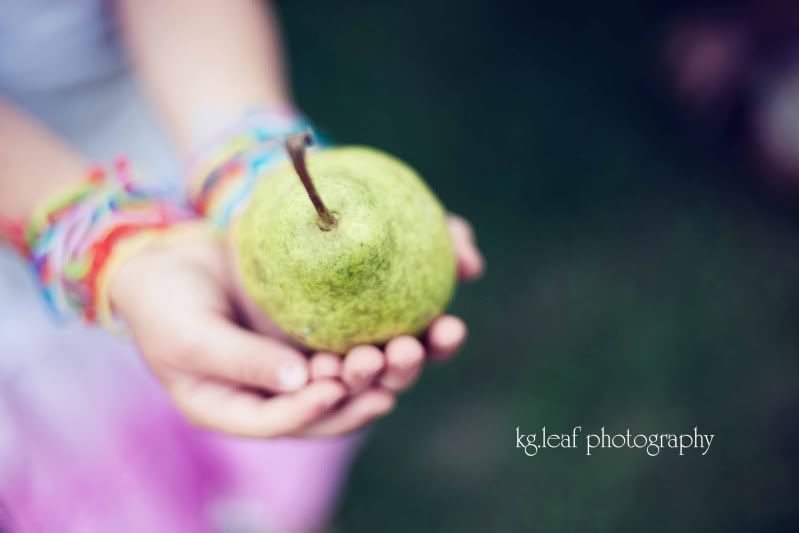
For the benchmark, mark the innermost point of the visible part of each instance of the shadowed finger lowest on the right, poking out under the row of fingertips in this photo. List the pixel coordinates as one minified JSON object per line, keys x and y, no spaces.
{"x":355,"y":414}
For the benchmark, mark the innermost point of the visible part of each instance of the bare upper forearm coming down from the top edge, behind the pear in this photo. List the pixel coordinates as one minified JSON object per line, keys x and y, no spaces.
{"x":204,"y":62}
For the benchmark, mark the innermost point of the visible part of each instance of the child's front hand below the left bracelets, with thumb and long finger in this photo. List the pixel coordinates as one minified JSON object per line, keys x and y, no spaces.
{"x":175,"y":300}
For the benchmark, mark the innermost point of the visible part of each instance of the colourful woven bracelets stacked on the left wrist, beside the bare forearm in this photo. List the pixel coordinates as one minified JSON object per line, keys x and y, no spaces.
{"x":70,"y":239}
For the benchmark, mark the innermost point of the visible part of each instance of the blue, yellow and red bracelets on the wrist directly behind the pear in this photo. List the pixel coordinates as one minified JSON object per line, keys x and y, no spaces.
{"x":224,"y":173}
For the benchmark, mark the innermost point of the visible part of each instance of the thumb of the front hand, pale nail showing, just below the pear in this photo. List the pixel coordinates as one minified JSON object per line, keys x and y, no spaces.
{"x":221,"y":350}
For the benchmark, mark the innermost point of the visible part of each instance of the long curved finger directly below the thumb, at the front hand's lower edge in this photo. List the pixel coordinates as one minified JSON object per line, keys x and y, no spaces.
{"x":235,"y":411}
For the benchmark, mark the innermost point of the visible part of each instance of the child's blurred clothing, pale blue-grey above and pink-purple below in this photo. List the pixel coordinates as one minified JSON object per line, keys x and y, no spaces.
{"x":88,"y":440}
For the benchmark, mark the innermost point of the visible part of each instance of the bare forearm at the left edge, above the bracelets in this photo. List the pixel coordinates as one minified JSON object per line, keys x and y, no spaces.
{"x":34,"y":163}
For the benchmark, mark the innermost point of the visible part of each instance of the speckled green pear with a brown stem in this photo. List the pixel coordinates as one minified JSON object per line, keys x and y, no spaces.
{"x":368,"y":258}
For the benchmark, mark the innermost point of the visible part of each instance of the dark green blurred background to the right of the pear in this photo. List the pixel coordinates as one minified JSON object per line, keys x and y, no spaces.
{"x":633,"y":279}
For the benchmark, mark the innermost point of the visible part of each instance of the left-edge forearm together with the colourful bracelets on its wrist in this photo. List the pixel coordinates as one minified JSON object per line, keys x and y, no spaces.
{"x":72,"y":221}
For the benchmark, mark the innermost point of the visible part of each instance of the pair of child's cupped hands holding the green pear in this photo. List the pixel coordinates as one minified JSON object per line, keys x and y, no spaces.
{"x":178,"y":300}
